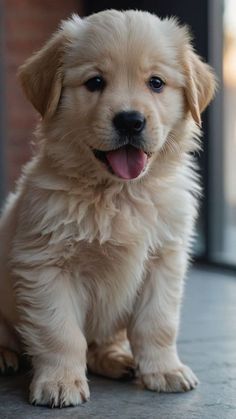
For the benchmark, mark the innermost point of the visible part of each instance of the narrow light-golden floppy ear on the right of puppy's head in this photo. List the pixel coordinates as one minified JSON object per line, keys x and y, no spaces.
{"x":200,"y":84}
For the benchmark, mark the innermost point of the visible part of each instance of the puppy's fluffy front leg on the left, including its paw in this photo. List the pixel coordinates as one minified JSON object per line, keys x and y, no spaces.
{"x":50,"y":329}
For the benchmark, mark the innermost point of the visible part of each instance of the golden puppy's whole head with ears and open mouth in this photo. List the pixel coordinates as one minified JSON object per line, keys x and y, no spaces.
{"x":111,"y":88}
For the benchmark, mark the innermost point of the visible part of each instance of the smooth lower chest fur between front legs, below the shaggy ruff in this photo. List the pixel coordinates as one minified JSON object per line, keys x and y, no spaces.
{"x":110,"y":277}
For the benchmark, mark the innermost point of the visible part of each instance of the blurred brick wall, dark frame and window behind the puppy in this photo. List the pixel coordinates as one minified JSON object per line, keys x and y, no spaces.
{"x":24,"y":27}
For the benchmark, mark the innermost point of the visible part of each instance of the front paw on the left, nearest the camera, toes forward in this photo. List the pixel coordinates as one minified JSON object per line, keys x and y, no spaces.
{"x":58,"y":388}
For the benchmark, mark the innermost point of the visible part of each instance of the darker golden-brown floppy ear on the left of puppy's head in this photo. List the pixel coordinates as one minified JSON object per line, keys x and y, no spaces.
{"x":41,"y":76}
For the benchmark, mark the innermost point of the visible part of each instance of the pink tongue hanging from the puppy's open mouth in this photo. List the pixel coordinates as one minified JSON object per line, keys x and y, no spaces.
{"x":127,"y":162}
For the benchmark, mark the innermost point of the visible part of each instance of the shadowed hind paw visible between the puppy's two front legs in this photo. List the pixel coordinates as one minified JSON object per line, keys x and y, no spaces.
{"x":112,"y":359}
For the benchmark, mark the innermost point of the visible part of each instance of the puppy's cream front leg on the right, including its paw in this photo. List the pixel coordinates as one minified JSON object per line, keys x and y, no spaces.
{"x":154,"y":326}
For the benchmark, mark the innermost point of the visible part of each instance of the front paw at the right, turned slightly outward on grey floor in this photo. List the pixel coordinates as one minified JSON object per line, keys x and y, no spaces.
{"x":178,"y":380}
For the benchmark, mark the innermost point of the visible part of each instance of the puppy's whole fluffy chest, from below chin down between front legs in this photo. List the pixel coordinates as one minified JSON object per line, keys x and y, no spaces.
{"x":103,"y":237}
